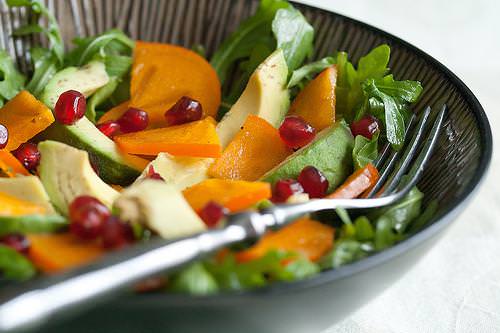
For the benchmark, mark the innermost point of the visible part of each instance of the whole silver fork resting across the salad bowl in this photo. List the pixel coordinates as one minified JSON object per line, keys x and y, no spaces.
{"x":82,"y":287}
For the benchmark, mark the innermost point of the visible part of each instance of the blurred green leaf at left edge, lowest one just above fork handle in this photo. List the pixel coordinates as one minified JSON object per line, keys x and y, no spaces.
{"x":15,"y":266}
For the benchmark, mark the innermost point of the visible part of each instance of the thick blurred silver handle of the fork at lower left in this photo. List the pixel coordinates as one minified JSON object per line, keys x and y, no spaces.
{"x":83,"y":287}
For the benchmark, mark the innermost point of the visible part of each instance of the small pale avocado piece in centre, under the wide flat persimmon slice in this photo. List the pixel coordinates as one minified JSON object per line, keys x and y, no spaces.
{"x":179,"y":171}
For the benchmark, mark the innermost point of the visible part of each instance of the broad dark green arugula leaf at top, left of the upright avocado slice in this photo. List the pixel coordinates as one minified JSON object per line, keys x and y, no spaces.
{"x":253,"y":31}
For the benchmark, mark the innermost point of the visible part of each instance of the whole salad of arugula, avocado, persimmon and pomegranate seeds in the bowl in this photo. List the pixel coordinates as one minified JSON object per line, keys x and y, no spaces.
{"x":116,"y":141}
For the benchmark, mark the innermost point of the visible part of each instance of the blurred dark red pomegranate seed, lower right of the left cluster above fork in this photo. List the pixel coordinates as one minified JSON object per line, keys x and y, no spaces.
{"x":116,"y":234}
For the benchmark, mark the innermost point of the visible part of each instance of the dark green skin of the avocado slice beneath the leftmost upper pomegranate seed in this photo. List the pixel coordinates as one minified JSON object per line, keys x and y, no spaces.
{"x":111,"y":170}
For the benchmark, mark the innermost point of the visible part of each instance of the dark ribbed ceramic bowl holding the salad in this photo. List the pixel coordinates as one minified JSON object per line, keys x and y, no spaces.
{"x":458,"y":165}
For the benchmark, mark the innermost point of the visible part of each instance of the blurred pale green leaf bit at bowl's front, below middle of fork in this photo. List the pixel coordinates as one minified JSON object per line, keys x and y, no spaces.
{"x":195,"y":280}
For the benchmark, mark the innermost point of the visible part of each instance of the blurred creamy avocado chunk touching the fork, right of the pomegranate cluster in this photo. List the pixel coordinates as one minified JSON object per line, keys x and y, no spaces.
{"x":159,"y":206}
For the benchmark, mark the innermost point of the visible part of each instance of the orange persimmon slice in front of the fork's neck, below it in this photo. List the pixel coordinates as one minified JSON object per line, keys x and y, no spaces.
{"x":306,"y":237}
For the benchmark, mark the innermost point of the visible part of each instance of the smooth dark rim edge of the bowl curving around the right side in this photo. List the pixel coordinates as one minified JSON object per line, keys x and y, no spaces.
{"x":439,"y":222}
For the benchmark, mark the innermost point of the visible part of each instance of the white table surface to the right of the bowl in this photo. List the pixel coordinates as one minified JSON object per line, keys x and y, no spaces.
{"x":456,"y":287}
